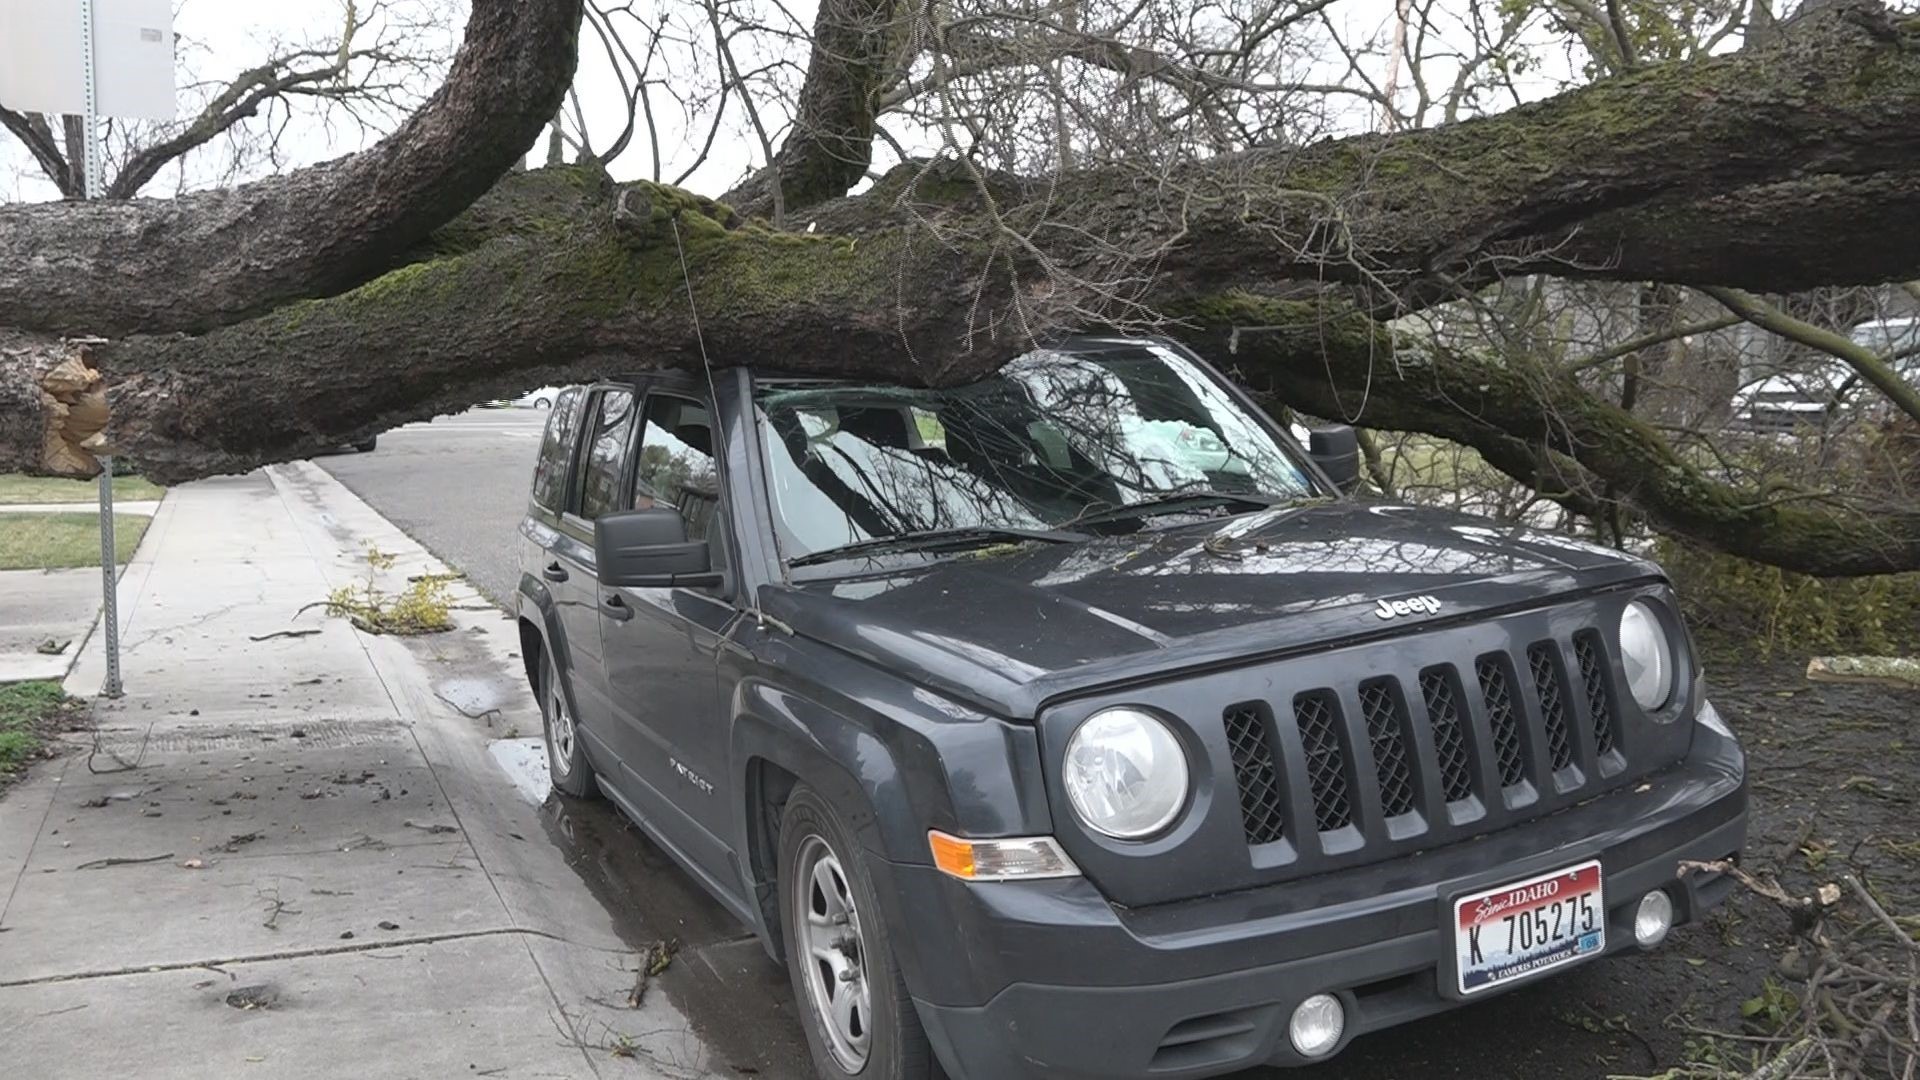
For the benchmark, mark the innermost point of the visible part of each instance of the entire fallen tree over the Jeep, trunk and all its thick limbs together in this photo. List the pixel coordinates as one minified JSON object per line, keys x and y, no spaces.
{"x":1777,"y":168}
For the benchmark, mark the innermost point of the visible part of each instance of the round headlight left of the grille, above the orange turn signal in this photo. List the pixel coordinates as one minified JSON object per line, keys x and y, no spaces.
{"x":1126,"y":773}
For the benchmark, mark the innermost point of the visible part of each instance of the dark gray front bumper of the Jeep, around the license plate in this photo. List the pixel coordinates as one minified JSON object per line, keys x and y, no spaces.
{"x":1063,"y":985}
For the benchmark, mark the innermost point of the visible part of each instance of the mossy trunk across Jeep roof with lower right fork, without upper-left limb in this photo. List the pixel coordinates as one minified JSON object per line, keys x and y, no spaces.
{"x":934,"y":278}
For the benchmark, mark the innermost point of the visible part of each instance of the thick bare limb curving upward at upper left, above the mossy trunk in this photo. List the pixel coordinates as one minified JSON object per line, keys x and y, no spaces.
{"x":220,"y":257}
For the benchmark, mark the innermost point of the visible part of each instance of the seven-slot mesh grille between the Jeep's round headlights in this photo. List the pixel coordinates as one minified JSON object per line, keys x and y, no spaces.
{"x":1441,"y":741}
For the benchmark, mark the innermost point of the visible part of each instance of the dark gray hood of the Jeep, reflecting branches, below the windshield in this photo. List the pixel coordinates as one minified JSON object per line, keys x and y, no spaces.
{"x":1011,"y":629}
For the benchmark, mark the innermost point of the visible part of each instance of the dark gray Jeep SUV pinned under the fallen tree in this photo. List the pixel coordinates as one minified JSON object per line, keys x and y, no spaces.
{"x":1074,"y":724}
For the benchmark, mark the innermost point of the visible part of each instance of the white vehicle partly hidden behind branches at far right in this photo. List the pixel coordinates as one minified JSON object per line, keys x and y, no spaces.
{"x":1827,"y":393}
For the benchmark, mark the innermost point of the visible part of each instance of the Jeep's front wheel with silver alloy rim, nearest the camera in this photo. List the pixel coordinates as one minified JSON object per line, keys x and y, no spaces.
{"x":852,"y":998}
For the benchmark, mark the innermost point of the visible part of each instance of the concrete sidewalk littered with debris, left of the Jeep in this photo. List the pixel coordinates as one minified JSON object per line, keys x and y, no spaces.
{"x":297,"y":856}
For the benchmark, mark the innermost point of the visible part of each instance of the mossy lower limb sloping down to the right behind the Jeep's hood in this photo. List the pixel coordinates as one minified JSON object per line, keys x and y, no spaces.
{"x":1533,"y":422}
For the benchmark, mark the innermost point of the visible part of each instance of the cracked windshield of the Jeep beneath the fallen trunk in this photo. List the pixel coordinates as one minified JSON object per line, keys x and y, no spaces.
{"x":1047,"y":443}
